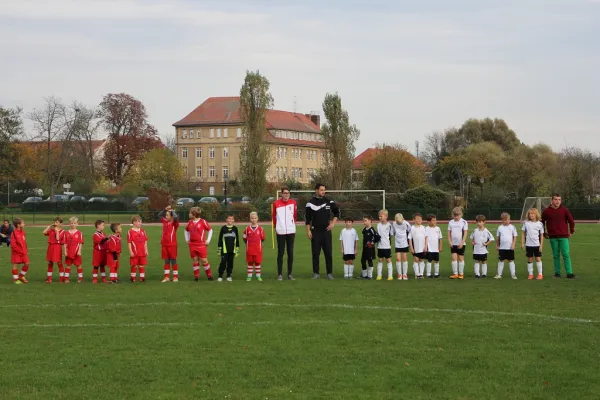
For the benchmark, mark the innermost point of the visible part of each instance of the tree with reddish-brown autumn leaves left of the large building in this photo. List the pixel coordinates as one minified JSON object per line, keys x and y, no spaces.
{"x":129,"y":134}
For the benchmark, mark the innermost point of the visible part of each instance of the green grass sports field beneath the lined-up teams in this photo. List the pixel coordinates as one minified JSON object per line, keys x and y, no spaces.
{"x":443,"y":339}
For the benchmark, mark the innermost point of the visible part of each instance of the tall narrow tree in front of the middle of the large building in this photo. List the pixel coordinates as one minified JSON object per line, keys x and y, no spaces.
{"x":255,"y":156}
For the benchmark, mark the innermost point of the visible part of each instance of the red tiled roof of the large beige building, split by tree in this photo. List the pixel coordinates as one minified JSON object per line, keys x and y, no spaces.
{"x":226,"y":111}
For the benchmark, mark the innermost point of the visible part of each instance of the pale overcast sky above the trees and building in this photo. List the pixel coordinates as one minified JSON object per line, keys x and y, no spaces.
{"x":403,"y":68}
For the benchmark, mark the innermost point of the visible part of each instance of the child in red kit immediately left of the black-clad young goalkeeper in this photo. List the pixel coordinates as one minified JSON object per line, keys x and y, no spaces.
{"x":195,"y":233}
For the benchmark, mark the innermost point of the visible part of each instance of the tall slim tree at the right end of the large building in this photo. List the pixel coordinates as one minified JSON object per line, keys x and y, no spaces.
{"x":339,"y":137}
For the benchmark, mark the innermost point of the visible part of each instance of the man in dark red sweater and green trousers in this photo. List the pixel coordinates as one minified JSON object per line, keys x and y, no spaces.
{"x":559,"y":225}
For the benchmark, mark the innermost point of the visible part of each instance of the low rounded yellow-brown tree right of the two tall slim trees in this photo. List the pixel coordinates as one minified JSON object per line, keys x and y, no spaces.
{"x":393,"y":169}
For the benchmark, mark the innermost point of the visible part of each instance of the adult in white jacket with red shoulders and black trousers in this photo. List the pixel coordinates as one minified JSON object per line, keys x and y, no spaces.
{"x":285,"y":213}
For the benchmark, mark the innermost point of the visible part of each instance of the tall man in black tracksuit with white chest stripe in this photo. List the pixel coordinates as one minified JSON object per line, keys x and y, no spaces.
{"x":318,"y":228}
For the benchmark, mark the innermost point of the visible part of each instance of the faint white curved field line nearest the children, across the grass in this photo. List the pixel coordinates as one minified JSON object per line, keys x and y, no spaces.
{"x":543,"y":317}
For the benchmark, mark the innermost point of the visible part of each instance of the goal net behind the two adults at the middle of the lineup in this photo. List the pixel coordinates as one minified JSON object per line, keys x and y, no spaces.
{"x":353,"y":203}
